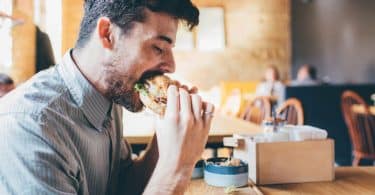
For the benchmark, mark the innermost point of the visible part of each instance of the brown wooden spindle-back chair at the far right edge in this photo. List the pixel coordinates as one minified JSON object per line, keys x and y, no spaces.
{"x":361,"y":127}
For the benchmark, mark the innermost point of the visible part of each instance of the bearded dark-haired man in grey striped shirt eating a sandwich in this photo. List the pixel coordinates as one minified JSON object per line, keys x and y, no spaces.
{"x":60,"y":133}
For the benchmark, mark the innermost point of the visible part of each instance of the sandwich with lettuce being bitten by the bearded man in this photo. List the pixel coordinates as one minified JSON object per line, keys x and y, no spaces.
{"x":153,"y":92}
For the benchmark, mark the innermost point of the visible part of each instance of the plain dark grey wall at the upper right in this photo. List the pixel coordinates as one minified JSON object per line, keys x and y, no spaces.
{"x":336,"y":36}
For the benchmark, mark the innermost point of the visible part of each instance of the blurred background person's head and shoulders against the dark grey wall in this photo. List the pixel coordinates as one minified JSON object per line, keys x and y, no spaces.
{"x":306,"y":75}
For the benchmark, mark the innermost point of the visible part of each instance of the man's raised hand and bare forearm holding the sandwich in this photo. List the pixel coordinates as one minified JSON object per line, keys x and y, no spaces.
{"x":182,"y":135}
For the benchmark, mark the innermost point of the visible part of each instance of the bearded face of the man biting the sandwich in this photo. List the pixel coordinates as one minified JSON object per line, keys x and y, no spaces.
{"x":146,"y":49}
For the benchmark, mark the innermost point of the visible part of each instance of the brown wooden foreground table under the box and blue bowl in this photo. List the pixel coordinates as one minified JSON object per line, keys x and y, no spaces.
{"x":349,"y":180}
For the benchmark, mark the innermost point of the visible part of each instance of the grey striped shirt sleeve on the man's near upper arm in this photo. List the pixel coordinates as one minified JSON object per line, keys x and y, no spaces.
{"x":30,"y":161}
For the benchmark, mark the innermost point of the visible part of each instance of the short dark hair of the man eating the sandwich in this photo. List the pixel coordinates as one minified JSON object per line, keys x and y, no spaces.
{"x":124,"y":12}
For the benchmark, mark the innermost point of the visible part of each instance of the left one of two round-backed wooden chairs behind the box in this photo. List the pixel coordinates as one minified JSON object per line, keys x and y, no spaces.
{"x":257,"y":110}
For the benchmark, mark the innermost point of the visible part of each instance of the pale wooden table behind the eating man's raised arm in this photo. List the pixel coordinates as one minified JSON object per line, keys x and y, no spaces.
{"x":138,"y":129}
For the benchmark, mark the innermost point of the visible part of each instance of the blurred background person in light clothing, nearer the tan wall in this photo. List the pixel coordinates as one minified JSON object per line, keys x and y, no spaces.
{"x":271,"y":85}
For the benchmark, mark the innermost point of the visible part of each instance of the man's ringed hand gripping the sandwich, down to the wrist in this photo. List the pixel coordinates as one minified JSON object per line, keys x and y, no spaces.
{"x":182,"y":133}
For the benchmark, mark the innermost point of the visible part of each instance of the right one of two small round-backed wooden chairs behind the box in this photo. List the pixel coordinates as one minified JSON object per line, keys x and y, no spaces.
{"x":291,"y":110}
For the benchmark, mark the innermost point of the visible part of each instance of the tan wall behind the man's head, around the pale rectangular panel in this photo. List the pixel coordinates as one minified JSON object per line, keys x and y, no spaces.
{"x":258,"y":34}
